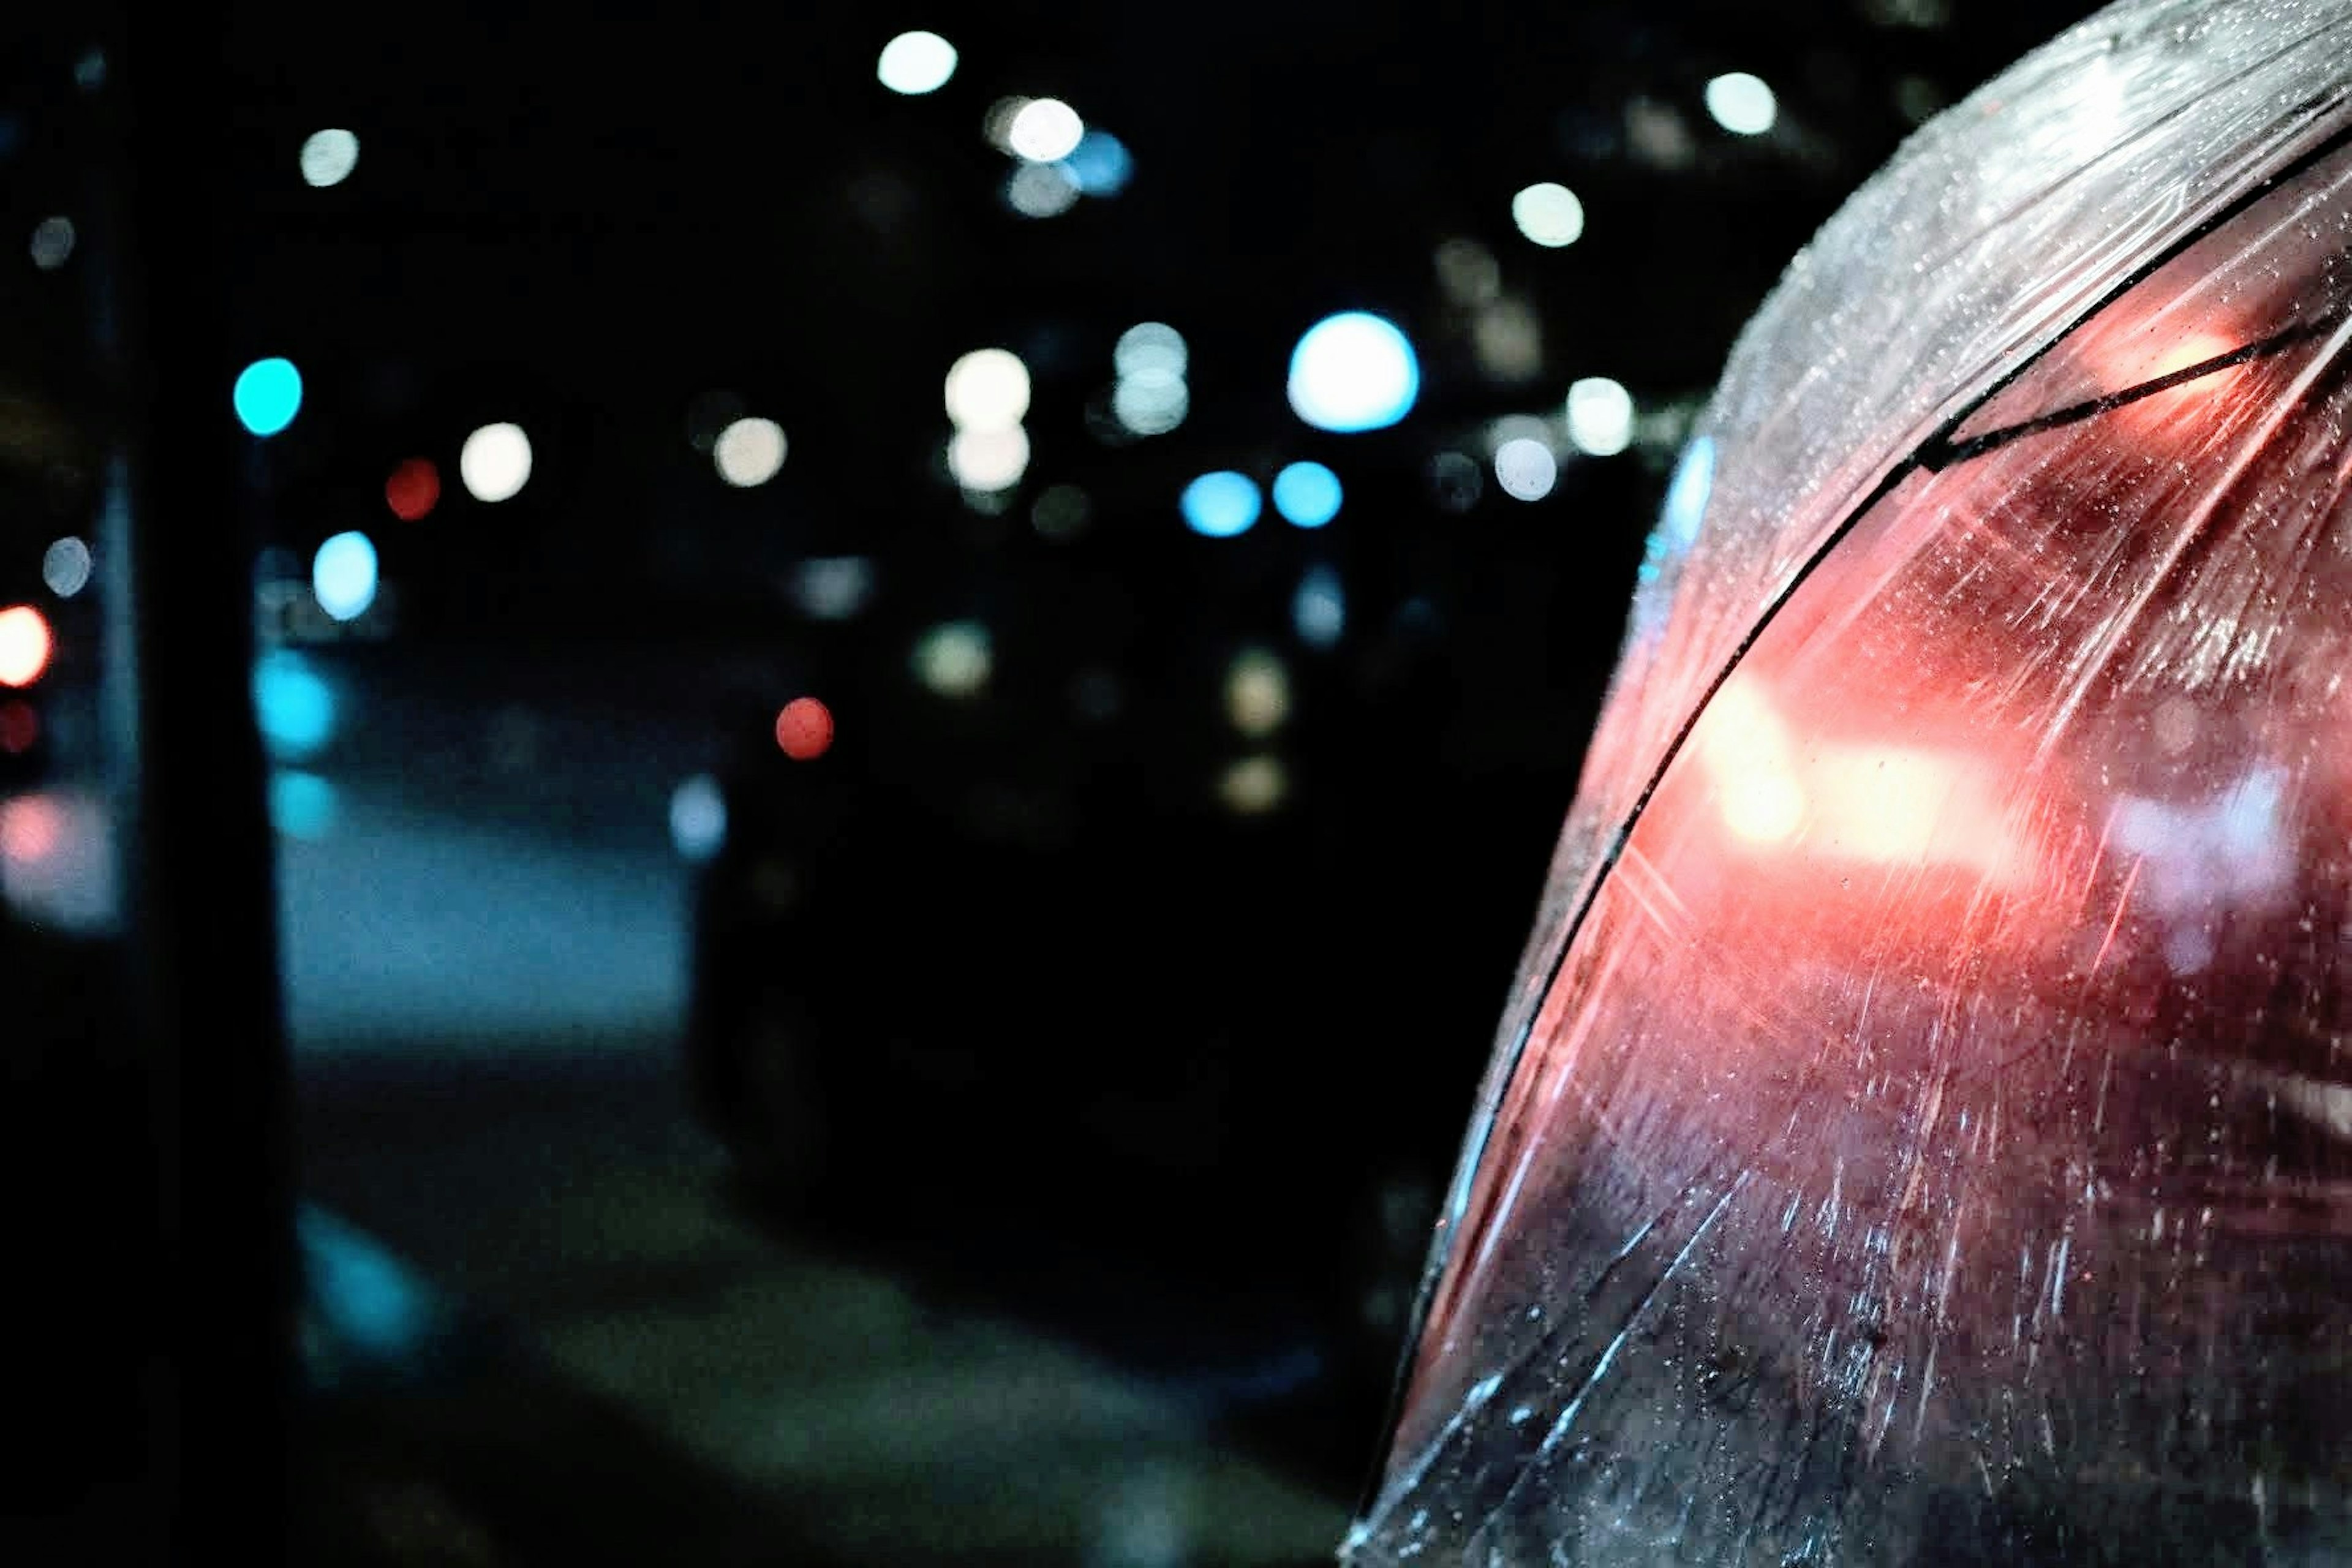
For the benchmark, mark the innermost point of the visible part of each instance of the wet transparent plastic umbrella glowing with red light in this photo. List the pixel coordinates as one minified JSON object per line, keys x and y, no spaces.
{"x":1923,"y":1132}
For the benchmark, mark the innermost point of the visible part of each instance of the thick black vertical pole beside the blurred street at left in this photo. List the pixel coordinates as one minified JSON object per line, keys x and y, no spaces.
{"x":194,"y":826}
